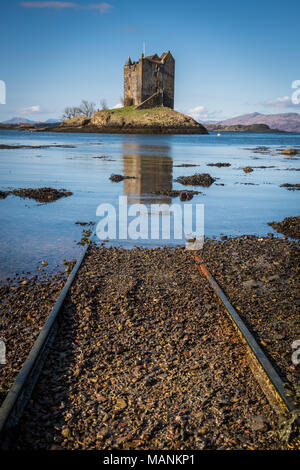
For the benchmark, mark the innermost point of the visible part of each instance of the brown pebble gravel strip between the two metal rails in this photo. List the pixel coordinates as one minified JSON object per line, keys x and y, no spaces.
{"x":146,"y":358}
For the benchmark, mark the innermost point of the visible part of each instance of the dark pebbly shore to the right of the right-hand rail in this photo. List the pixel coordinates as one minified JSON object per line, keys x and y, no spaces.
{"x":260,"y":276}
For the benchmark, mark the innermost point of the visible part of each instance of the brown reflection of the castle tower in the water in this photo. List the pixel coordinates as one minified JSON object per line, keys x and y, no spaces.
{"x":152,"y":167}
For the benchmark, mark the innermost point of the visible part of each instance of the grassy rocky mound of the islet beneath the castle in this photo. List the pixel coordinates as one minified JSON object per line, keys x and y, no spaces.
{"x":159,"y":120}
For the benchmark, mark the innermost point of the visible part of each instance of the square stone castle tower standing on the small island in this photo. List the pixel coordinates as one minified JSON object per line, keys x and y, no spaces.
{"x":150,"y":81}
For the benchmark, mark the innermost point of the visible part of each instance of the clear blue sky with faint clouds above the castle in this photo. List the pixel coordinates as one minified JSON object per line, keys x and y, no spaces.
{"x":232,"y":57}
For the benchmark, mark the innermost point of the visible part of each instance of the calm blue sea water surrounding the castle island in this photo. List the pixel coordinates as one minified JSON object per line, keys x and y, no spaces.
{"x":31,"y":232}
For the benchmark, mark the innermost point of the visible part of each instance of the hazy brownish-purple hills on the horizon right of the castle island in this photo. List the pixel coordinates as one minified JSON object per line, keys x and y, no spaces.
{"x":289,"y":122}
